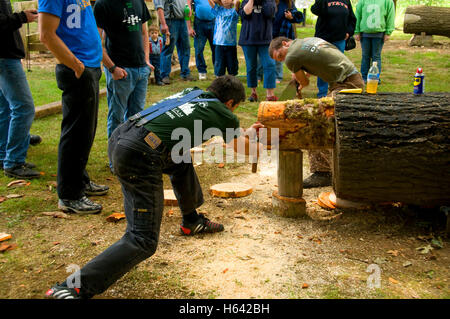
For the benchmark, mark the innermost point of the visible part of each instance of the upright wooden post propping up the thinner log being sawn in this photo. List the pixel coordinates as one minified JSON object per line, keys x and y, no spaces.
{"x":288,"y":201}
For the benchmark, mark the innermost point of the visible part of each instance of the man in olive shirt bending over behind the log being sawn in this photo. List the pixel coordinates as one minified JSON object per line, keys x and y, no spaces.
{"x":320,"y":58}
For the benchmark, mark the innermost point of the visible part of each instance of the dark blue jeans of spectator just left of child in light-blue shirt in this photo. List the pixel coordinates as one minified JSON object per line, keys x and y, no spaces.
{"x":204,"y":31}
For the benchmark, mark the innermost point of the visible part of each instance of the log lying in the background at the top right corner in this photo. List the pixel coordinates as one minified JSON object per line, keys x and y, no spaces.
{"x":431,"y":20}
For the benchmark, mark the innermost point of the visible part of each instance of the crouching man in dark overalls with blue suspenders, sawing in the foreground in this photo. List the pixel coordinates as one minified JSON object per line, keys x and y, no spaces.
{"x":141,"y":150}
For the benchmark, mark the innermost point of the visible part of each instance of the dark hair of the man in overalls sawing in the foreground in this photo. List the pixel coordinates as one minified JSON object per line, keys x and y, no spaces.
{"x":228,"y":87}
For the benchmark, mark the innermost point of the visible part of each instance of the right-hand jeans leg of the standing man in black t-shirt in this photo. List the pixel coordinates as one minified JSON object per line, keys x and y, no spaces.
{"x":136,"y":101}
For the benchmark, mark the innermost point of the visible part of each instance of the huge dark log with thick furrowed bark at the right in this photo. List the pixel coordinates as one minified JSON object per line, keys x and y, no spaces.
{"x":393,"y":147}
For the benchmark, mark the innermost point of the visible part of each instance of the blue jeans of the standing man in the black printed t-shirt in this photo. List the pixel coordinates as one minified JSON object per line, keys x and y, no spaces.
{"x":126,"y":96}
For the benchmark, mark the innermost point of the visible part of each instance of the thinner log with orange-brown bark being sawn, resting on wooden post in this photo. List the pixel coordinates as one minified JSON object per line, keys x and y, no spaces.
{"x":302,"y":124}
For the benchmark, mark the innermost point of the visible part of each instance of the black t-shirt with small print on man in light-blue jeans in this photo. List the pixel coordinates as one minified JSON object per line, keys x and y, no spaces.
{"x":122,"y":21}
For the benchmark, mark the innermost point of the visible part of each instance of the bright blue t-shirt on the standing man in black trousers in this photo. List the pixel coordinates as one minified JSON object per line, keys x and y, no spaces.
{"x":77,"y":28}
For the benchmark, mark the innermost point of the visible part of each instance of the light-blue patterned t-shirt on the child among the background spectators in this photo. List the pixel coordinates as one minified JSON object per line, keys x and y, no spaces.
{"x":225,"y":28}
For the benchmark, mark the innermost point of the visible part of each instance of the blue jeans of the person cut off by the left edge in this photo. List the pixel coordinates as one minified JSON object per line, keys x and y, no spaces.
{"x":16,"y":113}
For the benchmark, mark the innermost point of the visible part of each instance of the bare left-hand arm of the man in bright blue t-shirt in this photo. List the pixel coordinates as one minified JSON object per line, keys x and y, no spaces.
{"x":48,"y":24}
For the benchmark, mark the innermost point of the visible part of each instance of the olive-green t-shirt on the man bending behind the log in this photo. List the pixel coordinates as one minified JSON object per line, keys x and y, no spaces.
{"x":320,"y":58}
